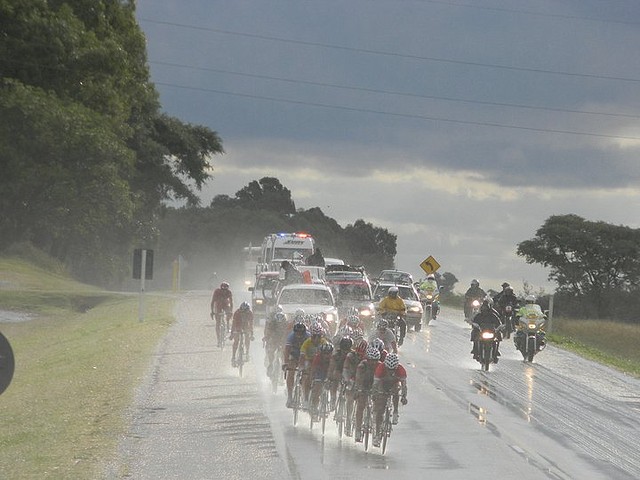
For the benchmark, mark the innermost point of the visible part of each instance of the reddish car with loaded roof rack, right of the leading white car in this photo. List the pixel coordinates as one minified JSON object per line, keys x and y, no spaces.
{"x":351,"y":288}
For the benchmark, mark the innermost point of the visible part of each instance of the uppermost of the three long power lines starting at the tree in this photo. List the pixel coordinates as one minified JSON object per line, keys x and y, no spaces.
{"x":393,"y":54}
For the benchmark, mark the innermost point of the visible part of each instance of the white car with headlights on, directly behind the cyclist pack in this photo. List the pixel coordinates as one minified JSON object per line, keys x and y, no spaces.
{"x":313,"y":298}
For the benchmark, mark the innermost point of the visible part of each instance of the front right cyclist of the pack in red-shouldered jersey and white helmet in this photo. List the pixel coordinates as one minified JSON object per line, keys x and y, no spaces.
{"x":389,"y":378}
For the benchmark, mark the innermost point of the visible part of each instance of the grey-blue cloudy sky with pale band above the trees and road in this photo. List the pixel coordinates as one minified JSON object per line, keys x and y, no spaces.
{"x":460,"y":126}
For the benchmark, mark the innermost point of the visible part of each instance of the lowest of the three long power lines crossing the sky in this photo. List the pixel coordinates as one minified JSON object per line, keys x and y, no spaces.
{"x":395,"y":114}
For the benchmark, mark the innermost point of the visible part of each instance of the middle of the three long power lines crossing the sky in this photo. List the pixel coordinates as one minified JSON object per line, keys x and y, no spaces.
{"x":394,"y":92}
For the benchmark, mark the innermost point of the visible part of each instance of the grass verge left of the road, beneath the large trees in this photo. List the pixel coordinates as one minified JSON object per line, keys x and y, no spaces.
{"x":77,"y":367}
